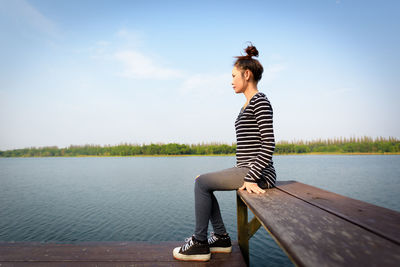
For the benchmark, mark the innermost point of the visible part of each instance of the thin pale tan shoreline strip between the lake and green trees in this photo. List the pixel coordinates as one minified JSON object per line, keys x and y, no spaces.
{"x":209,"y":155}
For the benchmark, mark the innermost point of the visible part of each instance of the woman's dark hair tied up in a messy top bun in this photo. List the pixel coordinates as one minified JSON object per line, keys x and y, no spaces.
{"x":249,"y":63}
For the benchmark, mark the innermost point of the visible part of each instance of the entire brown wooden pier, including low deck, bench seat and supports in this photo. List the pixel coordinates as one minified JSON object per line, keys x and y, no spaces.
{"x":314,"y":227}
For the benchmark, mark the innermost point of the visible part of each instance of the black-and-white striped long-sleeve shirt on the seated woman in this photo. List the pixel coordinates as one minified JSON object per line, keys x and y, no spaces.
{"x":255,"y":140}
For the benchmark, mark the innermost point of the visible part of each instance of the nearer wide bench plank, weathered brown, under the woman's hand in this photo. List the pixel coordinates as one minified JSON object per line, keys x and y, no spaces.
{"x":313,"y":237}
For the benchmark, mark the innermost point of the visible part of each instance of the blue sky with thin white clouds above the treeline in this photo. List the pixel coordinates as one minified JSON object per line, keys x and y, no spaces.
{"x":141,"y":72}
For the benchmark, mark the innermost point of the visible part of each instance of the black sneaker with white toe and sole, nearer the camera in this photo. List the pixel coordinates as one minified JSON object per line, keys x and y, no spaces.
{"x":192,"y":250}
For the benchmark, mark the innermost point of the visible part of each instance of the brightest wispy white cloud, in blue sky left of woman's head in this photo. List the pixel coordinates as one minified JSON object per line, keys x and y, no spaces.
{"x":138,"y":65}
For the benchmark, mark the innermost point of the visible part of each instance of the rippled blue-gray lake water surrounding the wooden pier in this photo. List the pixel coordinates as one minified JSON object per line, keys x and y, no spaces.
{"x":69,"y":200}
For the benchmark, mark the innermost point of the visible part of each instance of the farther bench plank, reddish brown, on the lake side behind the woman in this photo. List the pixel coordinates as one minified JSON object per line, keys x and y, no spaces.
{"x":382,"y":221}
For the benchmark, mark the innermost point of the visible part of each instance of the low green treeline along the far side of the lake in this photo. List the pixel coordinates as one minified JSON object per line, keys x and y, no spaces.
{"x":336,"y":145}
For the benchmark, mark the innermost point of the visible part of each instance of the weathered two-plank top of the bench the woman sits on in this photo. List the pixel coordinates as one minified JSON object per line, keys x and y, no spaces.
{"x":316,"y":236}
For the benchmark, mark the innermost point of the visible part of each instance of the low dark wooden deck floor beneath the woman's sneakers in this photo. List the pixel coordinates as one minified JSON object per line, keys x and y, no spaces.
{"x":105,"y":254}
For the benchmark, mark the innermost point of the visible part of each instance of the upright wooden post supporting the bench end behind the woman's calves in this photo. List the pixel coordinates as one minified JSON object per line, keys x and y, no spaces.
{"x":243,"y":228}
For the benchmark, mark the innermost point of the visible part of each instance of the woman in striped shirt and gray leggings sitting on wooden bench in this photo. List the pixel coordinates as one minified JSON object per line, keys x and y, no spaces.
{"x":253,"y":172}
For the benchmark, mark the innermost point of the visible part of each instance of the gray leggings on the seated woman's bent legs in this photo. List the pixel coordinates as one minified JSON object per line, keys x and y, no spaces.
{"x":206,"y":205}
